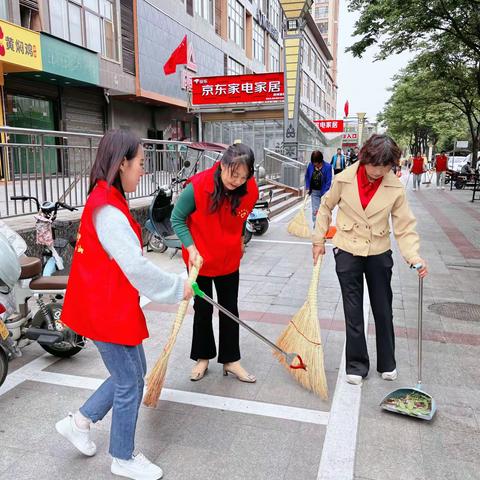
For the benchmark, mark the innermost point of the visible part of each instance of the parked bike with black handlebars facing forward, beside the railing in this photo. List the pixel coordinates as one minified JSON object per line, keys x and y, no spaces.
{"x":45,"y":222}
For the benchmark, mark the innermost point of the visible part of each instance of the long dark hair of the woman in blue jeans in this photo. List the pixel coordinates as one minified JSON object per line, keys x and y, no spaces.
{"x":115,"y":146}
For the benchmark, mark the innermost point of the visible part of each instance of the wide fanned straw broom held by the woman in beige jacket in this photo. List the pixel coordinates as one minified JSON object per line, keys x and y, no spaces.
{"x":302,"y":335}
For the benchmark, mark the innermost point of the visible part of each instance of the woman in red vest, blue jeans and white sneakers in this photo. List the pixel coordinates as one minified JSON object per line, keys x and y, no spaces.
{"x":103,"y":302}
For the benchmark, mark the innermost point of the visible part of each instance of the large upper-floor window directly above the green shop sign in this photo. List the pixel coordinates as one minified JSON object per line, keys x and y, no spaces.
{"x":89,"y":23}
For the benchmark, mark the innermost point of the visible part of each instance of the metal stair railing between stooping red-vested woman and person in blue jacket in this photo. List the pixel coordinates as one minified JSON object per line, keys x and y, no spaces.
{"x":281,"y":169}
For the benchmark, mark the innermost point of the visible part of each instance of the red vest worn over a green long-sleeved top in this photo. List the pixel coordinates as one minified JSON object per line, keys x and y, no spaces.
{"x":217,"y":236}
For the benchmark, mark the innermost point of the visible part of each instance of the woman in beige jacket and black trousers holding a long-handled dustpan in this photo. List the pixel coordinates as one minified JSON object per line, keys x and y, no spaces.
{"x":368,"y":196}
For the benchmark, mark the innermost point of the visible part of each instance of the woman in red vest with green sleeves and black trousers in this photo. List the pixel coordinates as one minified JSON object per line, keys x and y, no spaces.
{"x":209,"y":218}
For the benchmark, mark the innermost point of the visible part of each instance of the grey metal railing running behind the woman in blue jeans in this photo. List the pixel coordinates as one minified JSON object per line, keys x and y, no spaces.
{"x":54,"y":165}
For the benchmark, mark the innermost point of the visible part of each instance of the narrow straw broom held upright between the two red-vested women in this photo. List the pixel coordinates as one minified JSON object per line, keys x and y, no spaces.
{"x":156,"y":377}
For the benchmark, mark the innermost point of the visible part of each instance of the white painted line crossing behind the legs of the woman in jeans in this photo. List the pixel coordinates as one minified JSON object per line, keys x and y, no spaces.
{"x":229,"y":404}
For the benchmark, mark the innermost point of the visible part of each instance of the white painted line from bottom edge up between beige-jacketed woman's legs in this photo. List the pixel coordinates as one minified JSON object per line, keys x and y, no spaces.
{"x":340,"y":444}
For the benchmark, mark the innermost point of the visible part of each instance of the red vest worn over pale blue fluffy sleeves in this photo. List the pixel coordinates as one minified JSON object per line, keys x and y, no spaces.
{"x":101,"y":303}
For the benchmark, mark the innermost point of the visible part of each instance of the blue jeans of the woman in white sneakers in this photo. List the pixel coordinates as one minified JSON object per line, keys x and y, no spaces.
{"x":122,"y":391}
